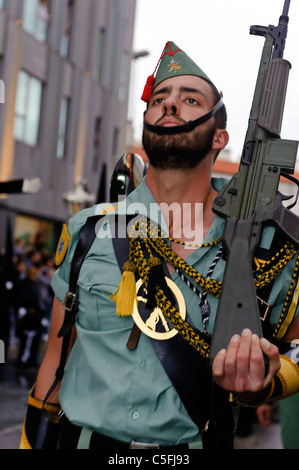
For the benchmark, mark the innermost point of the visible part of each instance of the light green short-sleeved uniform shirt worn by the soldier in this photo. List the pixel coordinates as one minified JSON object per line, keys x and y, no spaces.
{"x":108,"y":388}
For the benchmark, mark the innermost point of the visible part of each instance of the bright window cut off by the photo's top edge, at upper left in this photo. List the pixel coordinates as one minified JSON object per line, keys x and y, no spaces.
{"x":36,"y":18}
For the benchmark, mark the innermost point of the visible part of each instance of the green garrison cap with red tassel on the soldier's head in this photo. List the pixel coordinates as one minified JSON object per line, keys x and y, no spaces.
{"x":173,"y":62}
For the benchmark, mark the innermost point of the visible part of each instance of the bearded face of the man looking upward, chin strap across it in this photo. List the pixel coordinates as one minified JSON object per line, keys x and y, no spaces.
{"x":175,"y":102}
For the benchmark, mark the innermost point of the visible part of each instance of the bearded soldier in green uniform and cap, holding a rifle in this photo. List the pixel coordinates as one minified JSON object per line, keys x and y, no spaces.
{"x":131,"y":380}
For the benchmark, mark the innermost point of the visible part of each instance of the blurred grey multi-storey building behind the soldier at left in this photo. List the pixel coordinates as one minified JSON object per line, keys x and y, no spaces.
{"x":65,"y":67}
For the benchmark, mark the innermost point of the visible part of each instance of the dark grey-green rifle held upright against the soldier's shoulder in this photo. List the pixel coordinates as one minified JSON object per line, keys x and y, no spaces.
{"x":251,"y":198}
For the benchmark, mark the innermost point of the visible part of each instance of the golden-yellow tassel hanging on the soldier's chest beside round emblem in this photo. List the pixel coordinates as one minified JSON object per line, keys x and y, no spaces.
{"x":126,"y":292}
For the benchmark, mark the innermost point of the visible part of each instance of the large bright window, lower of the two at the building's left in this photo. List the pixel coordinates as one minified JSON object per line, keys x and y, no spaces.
{"x":28,"y":108}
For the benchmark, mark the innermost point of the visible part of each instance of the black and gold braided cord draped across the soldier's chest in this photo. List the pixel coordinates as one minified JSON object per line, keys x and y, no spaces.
{"x":269,"y":271}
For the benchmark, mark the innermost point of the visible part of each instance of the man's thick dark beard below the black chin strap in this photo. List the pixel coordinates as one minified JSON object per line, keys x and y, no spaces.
{"x":178,"y":151}
